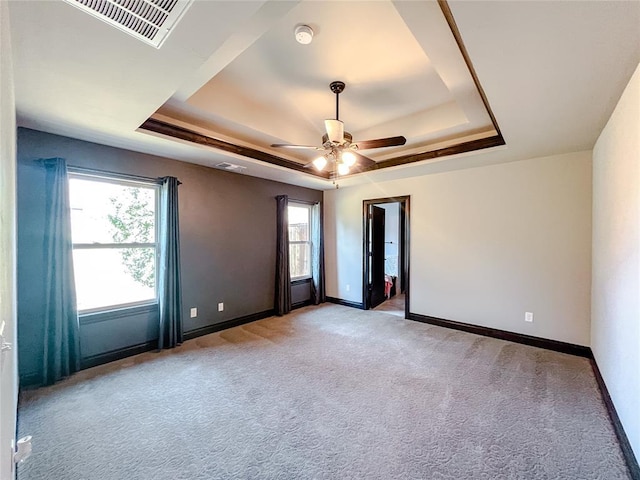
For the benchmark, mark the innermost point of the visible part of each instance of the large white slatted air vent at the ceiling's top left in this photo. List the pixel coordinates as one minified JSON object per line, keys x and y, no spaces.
{"x":148,"y":20}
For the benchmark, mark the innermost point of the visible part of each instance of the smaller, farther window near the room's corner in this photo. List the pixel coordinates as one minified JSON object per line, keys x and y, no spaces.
{"x":299,"y":241}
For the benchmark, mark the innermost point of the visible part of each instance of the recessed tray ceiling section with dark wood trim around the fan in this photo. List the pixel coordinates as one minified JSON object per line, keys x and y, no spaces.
{"x":402,"y":62}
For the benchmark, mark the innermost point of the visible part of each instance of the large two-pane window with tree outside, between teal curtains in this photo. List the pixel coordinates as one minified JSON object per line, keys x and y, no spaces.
{"x":113,"y":228}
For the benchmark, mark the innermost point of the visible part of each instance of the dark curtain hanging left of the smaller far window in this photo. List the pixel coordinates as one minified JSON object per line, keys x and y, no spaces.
{"x":283,"y":276}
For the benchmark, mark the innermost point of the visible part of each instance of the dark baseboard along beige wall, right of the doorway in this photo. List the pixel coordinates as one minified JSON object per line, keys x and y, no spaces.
{"x":554,"y":345}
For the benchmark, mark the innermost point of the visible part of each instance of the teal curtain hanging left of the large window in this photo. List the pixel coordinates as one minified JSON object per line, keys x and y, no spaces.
{"x":61,"y":328}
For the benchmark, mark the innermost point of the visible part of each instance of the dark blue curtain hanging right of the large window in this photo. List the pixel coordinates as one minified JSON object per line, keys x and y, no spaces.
{"x":169,"y":284}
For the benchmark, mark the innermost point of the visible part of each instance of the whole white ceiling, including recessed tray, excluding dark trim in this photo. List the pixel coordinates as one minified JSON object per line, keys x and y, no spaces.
{"x":552,"y":73}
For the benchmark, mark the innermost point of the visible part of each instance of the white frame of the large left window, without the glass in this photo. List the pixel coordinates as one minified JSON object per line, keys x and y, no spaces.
{"x":127,"y":181}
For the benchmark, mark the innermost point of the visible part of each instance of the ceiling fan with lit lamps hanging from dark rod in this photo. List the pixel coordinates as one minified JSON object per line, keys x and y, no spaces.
{"x":339,"y":146}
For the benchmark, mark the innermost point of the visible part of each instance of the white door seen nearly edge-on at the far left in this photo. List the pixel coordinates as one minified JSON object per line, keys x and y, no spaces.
{"x":8,"y":358}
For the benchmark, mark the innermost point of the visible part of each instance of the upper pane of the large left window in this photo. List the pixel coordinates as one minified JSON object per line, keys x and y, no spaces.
{"x":103,"y":212}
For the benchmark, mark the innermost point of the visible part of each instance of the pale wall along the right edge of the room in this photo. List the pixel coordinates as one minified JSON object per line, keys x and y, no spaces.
{"x":615,"y":333}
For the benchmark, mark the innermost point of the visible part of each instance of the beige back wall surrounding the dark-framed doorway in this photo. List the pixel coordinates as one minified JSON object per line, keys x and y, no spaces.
{"x":487,"y":244}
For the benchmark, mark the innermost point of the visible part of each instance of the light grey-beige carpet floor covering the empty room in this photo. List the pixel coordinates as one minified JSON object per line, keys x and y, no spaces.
{"x":326,"y":392}
